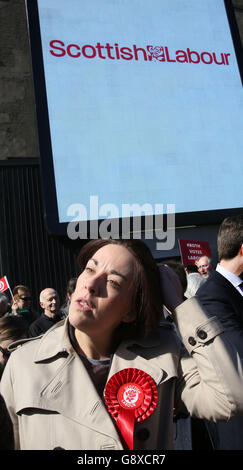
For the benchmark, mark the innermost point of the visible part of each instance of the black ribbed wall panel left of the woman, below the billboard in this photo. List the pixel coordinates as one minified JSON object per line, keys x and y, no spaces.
{"x":29,"y":255}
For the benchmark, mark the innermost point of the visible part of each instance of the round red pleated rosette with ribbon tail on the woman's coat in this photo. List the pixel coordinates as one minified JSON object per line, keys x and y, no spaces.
{"x":131,"y":397}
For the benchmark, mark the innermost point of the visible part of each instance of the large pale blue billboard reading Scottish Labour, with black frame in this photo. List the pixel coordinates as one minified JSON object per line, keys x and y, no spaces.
{"x":139,"y":104}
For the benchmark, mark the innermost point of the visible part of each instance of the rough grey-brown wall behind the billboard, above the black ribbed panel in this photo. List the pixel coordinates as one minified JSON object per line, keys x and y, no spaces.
{"x":18,"y":131}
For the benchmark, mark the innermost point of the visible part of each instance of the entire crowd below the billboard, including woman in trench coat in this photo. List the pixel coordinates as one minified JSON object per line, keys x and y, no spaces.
{"x":128,"y":321}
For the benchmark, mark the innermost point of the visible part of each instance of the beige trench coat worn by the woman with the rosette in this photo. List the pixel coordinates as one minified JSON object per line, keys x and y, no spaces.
{"x":53,"y":403}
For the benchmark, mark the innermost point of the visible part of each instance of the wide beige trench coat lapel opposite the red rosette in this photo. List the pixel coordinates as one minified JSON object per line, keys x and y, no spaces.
{"x":68,"y":388}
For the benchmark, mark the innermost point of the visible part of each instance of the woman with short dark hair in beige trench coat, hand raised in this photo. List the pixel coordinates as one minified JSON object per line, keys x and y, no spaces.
{"x":112,"y":374}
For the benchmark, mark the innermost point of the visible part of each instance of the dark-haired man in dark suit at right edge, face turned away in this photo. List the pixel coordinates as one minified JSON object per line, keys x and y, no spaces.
{"x":222,"y":295}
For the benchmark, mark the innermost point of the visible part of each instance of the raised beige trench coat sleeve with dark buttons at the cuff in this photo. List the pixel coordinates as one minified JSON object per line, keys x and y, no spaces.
{"x":210,"y":380}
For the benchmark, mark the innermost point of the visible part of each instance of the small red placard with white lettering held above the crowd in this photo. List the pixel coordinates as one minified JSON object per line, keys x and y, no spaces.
{"x":191,"y":250}
